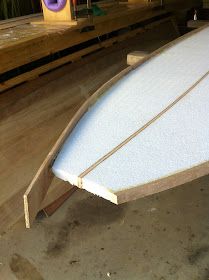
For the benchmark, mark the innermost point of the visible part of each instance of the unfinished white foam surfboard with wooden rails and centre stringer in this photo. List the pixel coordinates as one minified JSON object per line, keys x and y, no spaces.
{"x":143,"y":132}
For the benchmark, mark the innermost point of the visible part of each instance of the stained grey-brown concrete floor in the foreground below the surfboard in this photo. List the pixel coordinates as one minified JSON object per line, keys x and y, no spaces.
{"x":164,"y":236}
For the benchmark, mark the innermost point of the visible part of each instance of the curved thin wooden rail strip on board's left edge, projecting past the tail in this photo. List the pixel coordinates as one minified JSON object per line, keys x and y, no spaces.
{"x":41,"y":182}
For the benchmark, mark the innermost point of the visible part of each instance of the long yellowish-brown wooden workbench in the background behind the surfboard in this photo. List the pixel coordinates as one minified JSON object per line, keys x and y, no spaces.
{"x":24,"y":43}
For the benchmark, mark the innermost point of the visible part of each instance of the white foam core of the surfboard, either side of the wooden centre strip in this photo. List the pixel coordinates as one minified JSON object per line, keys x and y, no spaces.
{"x":178,"y":140}
